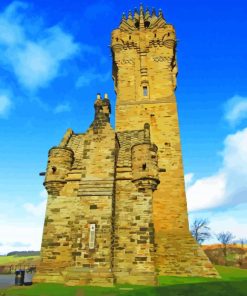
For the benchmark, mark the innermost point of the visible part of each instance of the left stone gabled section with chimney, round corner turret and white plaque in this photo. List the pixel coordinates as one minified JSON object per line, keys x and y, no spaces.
{"x":84,"y":197}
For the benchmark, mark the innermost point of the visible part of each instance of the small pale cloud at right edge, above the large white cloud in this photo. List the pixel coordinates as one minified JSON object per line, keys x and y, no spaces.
{"x":236,"y":109}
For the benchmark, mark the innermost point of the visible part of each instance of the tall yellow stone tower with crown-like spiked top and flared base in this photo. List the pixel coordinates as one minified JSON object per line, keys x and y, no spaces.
{"x":145,"y":69}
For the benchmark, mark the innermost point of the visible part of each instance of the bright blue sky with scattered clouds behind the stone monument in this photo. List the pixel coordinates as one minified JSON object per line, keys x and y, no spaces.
{"x":55,"y":57}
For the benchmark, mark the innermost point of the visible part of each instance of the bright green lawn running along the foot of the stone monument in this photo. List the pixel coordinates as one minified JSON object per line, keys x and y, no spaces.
{"x":233,"y":282}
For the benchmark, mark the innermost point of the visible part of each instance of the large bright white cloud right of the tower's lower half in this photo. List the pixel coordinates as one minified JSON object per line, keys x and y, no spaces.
{"x":228,"y":185}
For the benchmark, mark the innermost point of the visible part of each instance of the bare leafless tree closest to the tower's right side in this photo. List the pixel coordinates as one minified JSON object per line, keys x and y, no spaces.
{"x":200,"y":230}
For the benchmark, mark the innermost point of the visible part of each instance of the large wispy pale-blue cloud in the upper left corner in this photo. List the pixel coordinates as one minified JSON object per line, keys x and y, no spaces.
{"x":34,"y":59}
